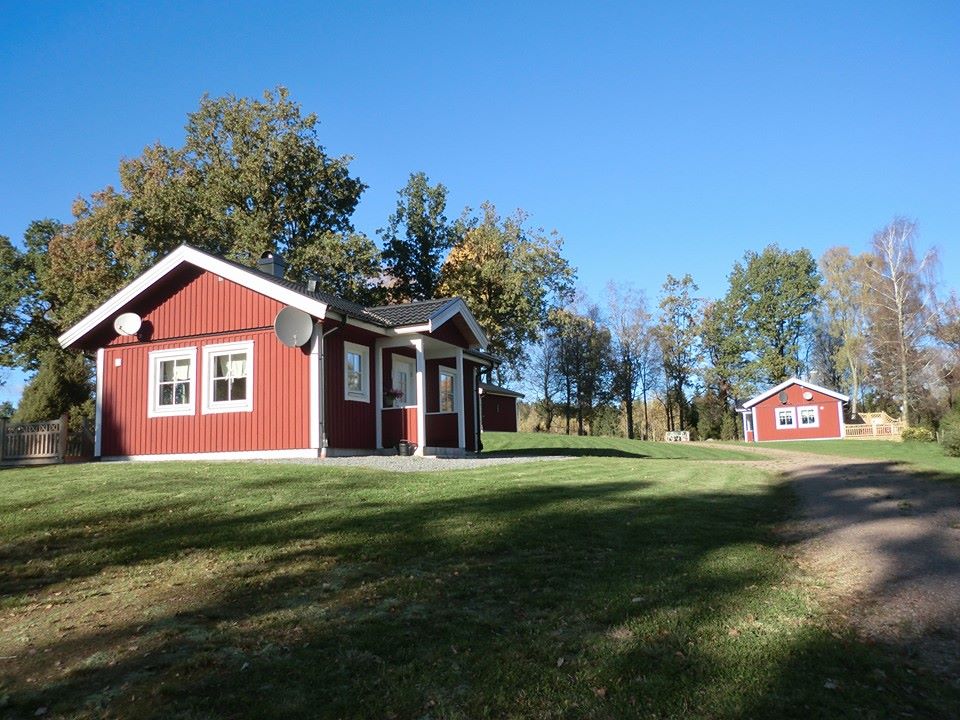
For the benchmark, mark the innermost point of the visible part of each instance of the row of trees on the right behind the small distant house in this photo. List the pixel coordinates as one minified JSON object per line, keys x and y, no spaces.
{"x":869,"y":324}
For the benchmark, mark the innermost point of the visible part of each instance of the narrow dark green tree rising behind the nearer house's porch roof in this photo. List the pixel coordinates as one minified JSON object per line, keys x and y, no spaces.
{"x":417,"y":238}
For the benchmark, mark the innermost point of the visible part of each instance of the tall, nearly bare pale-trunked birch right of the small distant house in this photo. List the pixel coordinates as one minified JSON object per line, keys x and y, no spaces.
{"x":902,"y":313}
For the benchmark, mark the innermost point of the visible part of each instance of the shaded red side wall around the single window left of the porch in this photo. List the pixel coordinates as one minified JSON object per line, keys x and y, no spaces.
{"x":350,"y":424}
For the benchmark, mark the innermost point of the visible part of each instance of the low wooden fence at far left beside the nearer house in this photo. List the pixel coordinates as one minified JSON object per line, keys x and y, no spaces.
{"x":42,"y":442}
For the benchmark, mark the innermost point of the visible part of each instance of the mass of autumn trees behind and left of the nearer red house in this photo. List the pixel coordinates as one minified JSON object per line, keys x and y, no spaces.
{"x":252,"y":176}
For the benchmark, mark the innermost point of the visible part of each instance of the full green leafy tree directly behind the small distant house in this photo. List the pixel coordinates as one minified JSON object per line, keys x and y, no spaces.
{"x":775,"y":292}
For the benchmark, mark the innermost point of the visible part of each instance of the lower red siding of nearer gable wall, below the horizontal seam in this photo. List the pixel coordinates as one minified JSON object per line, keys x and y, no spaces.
{"x":279,"y":420}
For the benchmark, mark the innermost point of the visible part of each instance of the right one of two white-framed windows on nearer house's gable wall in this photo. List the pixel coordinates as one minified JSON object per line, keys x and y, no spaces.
{"x":228,"y":377}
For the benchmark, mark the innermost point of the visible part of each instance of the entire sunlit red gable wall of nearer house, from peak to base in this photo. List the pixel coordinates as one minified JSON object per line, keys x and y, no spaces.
{"x":195,"y":309}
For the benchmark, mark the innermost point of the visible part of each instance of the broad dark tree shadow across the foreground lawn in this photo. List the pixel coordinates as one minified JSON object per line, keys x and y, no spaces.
{"x":578,"y":599}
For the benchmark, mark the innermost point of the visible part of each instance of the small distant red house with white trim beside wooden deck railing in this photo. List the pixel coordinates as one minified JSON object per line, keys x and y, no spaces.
{"x":794,"y":410}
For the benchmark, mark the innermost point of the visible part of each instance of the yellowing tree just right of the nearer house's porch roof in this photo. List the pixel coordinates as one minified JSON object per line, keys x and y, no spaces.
{"x":511,"y":276}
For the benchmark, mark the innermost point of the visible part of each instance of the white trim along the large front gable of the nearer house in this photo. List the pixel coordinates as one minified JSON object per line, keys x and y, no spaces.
{"x":183,"y":254}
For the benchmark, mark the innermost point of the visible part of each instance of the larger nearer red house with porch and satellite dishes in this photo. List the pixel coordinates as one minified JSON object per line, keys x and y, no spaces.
{"x":190,"y":365}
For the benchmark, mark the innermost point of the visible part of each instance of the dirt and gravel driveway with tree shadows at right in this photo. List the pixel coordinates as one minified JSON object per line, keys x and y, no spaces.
{"x":886,"y":541}
